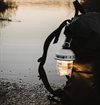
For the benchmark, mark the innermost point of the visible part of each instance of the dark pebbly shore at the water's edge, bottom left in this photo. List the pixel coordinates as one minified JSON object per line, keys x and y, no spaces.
{"x":14,"y":93}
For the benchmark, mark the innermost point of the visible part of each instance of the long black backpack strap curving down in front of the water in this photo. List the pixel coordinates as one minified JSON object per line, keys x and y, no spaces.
{"x":42,"y":74}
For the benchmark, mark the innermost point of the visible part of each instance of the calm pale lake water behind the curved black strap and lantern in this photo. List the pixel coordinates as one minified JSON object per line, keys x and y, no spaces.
{"x":21,"y":43}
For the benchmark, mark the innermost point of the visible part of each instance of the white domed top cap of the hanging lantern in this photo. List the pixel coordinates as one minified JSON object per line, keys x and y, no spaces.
{"x":65,"y":55}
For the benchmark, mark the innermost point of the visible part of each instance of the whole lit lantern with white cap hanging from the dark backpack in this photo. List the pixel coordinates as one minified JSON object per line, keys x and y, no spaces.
{"x":65,"y":58}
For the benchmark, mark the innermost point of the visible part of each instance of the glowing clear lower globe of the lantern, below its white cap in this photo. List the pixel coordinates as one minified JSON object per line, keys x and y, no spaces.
{"x":64,"y":67}
